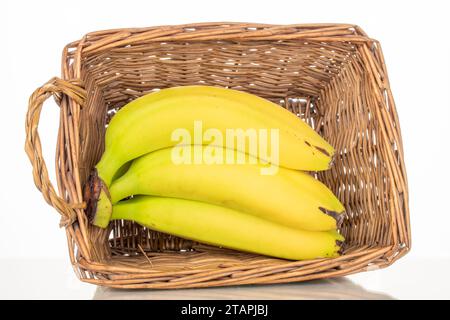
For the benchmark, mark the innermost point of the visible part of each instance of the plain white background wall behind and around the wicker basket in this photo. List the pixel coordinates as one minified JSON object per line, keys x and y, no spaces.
{"x":414,"y":37}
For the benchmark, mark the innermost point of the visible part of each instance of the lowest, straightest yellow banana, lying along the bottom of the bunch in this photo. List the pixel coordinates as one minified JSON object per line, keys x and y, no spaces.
{"x":225,"y":227}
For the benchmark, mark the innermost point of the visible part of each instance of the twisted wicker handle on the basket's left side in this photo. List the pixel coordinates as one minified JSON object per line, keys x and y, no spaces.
{"x":55,"y":87}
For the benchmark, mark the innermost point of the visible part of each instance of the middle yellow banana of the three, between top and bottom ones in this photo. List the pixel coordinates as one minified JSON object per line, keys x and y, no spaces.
{"x":289,"y":197}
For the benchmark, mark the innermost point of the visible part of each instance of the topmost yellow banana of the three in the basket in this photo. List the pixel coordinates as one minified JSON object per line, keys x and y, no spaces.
{"x":147,"y":123}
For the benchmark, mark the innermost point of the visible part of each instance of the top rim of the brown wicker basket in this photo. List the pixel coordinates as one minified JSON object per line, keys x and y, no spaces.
{"x":98,"y":41}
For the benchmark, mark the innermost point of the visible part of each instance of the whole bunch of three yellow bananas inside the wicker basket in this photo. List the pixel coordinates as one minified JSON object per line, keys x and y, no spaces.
{"x":284,"y":213}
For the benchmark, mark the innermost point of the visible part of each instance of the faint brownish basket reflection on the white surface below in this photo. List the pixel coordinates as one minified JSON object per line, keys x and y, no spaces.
{"x":340,"y":288}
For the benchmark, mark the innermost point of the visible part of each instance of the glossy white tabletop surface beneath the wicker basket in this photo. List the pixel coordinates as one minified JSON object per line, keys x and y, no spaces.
{"x":408,"y":279}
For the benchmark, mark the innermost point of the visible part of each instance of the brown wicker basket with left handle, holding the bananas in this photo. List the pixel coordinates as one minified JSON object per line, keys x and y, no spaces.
{"x":331,"y":76}
